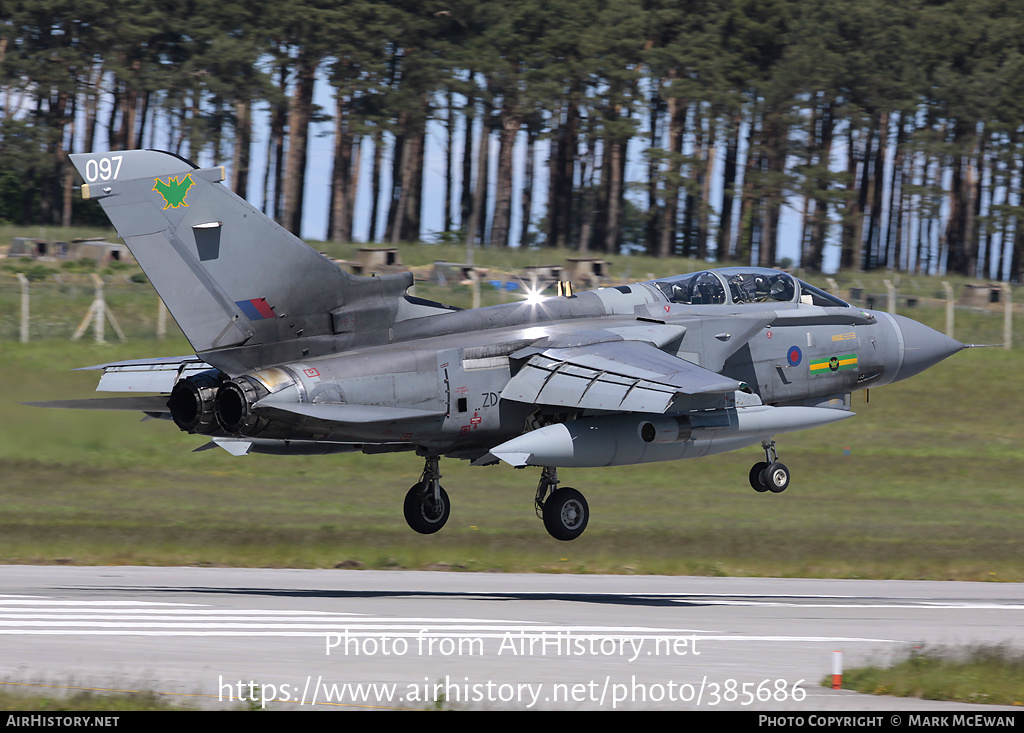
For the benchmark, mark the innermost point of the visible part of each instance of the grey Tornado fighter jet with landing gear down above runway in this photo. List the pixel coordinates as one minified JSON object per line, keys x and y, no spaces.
{"x":295,"y":357}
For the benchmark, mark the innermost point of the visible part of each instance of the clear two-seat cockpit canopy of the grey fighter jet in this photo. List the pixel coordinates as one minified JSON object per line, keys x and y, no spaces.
{"x":743,"y":285}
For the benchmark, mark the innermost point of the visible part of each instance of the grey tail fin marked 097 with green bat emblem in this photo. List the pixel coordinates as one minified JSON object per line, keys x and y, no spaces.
{"x":230,"y":275}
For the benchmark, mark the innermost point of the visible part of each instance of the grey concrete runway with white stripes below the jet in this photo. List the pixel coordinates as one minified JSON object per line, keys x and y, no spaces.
{"x":396,"y":640}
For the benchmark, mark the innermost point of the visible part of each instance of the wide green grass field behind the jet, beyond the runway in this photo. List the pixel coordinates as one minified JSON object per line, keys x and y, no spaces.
{"x":924,"y":484}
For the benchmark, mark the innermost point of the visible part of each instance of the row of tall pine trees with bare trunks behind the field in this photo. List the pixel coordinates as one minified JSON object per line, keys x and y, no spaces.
{"x":894,"y":127}
